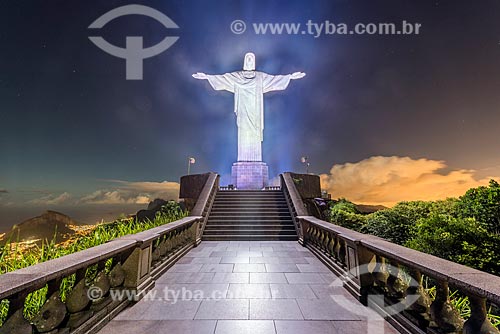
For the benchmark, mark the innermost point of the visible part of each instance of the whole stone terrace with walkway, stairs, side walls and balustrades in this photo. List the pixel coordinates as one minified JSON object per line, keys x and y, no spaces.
{"x":249,"y":262}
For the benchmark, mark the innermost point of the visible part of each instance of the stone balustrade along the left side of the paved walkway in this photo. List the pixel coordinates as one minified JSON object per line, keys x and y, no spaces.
{"x":136,"y":261}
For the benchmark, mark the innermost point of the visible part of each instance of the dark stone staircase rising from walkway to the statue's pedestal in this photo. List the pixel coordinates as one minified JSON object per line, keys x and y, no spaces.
{"x":250,"y":215}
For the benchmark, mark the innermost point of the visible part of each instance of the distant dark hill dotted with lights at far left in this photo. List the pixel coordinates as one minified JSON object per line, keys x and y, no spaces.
{"x":42,"y":227}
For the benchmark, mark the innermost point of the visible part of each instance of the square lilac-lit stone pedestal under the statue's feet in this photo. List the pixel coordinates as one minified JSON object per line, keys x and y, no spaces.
{"x":249,"y":175}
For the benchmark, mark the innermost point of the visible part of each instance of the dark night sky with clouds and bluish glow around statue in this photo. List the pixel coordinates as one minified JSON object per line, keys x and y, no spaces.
{"x":397,"y":117}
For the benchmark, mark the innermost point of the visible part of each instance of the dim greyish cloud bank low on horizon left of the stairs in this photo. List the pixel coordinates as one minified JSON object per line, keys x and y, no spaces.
{"x":133,"y":193}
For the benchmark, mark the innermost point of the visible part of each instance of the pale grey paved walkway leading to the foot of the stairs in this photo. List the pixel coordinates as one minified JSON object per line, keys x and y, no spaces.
{"x":246,"y":287}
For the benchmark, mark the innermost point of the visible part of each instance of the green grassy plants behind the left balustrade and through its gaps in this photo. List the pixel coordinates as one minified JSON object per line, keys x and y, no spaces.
{"x":14,"y":256}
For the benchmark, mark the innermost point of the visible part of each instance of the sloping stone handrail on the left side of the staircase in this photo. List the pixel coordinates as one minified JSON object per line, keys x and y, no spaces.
{"x":204,"y":203}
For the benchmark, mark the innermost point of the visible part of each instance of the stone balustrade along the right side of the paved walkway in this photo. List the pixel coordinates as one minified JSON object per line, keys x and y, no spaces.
{"x":346,"y":251}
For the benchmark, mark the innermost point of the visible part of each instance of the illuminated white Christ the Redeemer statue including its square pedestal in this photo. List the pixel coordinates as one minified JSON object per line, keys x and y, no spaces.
{"x":249,"y":87}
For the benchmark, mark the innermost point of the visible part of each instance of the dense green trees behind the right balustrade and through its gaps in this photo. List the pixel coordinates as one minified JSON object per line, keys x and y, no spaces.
{"x":464,"y":230}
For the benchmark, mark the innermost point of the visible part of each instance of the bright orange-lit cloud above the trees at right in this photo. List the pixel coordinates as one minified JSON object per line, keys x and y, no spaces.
{"x":388,"y":180}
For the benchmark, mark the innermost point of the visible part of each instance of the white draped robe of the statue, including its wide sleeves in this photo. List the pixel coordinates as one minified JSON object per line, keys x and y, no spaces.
{"x":248,"y":88}
